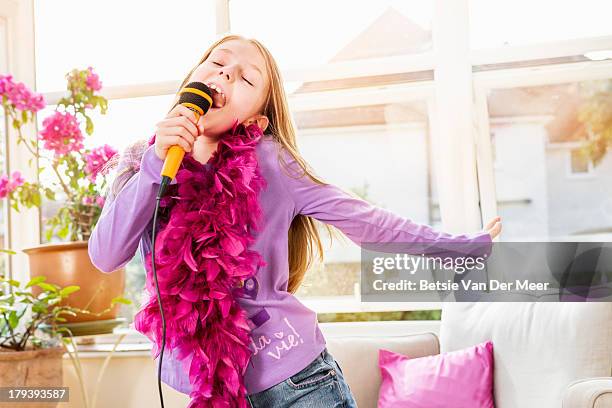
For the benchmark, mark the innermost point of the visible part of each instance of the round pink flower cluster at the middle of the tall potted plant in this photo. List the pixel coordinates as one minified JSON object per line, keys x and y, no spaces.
{"x":61,"y":133}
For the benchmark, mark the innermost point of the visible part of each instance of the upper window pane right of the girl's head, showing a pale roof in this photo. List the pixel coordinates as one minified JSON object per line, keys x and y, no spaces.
{"x":316,"y":32}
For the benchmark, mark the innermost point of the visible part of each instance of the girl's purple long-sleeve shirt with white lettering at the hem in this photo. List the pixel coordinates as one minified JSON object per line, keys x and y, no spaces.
{"x":285,"y":333}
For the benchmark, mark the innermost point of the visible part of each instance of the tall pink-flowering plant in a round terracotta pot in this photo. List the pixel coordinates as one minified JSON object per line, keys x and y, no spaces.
{"x":78,"y":179}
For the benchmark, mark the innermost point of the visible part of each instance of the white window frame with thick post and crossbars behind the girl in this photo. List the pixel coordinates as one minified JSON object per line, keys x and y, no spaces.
{"x":459,"y":136}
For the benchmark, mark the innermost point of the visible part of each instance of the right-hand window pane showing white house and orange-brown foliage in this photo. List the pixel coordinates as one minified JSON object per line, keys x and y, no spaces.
{"x":537,"y":131}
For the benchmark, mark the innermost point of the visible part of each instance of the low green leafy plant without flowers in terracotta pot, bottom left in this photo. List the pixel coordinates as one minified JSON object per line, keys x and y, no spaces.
{"x":32,"y":341}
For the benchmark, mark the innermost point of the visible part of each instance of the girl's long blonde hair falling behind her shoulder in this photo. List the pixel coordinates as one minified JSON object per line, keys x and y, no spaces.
{"x":304,"y":240}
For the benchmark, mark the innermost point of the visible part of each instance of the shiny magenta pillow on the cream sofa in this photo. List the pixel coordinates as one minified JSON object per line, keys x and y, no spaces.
{"x":458,"y":379}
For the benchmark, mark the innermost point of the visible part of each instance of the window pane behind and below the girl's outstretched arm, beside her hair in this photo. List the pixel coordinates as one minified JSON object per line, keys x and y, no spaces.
{"x":385,"y":160}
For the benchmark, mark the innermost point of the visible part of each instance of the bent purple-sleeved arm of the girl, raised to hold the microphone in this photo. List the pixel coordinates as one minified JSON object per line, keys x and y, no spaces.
{"x":125,"y":216}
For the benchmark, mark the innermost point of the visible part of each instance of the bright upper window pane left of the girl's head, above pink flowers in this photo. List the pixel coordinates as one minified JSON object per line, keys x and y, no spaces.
{"x":134,"y":41}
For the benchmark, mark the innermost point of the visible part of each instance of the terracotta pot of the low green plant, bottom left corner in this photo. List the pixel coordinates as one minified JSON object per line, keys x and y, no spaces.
{"x":31,"y":368}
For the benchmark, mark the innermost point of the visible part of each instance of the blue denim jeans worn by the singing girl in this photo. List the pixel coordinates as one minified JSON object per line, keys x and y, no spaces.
{"x":320,"y":385}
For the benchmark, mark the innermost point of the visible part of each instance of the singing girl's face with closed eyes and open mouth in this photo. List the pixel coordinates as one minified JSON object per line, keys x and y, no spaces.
{"x":237,"y":69}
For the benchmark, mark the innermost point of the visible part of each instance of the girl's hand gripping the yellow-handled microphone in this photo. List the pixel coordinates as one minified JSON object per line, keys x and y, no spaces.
{"x":178,"y":128}
